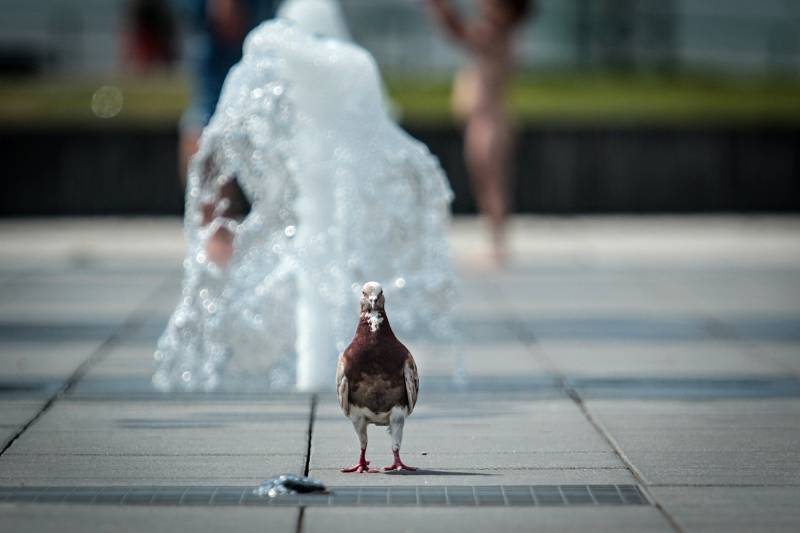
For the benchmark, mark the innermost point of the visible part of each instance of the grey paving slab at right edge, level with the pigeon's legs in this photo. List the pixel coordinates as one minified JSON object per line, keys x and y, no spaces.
{"x":719,"y":442}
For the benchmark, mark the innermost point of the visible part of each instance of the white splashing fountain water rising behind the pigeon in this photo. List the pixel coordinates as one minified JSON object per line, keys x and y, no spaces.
{"x":338,"y":195}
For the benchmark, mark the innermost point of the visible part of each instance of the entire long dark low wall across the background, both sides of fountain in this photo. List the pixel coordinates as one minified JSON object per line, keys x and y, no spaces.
{"x":558,"y":170}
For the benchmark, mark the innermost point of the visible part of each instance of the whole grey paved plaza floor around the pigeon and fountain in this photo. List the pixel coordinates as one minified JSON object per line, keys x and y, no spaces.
{"x":615,"y":357}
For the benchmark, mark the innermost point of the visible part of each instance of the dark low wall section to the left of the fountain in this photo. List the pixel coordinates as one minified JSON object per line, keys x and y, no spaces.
{"x":89,"y":172}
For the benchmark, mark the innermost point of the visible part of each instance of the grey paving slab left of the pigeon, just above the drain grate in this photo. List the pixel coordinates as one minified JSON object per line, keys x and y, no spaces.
{"x":85,"y":443}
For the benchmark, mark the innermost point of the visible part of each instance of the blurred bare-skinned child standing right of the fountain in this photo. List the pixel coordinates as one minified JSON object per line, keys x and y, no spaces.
{"x":478,"y":94}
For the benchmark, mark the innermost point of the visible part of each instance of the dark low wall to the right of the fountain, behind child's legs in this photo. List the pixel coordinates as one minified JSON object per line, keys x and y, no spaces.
{"x":636,"y":169}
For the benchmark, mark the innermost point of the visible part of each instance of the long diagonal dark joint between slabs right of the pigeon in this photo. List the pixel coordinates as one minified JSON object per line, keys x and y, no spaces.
{"x":528,"y":338}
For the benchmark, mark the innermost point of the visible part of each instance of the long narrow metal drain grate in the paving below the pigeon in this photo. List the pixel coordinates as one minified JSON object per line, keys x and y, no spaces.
{"x":424,"y":495}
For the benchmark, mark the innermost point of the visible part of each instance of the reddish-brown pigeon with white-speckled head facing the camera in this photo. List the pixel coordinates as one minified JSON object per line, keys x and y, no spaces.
{"x":376,"y":378}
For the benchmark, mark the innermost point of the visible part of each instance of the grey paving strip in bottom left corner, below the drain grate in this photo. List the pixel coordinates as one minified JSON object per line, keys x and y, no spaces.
{"x":82,"y":519}
